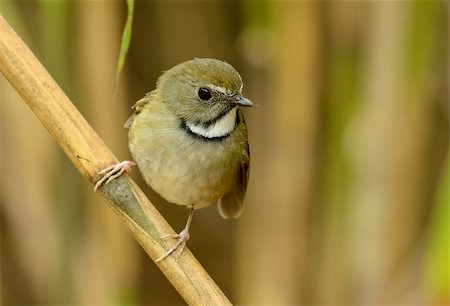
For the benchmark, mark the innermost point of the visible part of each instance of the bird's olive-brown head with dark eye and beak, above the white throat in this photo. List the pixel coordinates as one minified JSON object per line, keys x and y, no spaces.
{"x":202,"y":90}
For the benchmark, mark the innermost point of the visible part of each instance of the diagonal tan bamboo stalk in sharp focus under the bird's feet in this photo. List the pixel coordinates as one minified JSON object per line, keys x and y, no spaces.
{"x":89,"y":154}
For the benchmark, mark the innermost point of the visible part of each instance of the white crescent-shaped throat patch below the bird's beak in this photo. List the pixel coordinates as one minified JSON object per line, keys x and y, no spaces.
{"x":221,"y":127}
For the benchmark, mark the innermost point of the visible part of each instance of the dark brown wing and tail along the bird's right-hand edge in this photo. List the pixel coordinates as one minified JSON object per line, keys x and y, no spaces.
{"x":232,"y":203}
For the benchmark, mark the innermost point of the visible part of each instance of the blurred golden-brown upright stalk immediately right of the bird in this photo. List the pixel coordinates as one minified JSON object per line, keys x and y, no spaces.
{"x":278,"y":275}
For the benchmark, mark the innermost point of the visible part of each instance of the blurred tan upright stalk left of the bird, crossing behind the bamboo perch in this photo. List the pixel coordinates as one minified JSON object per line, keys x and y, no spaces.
{"x":98,"y":27}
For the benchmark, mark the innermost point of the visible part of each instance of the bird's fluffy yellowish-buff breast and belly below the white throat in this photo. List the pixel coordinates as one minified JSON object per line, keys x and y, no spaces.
{"x":181,"y":168}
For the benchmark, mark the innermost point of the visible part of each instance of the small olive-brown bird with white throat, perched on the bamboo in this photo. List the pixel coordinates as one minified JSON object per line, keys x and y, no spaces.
{"x":189,"y":140}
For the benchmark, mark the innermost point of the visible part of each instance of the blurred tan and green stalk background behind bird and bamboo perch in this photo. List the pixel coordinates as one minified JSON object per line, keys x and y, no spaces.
{"x":348,"y":201}
